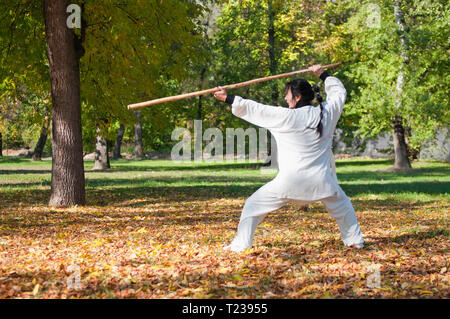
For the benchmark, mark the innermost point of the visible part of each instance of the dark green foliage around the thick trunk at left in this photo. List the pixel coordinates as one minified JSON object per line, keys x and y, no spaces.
{"x":131,"y":51}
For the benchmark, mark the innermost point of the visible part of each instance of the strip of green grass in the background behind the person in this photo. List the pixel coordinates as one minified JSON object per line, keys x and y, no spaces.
{"x":362,"y":178}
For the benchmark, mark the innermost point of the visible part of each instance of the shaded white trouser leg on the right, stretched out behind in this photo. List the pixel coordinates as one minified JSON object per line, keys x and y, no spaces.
{"x":341,"y":208}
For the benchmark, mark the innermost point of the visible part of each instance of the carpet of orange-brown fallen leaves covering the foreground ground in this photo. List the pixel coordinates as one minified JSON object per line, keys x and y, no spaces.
{"x":169,"y":245}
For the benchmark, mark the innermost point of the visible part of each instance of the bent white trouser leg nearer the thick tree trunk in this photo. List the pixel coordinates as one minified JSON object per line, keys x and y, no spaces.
{"x":256,"y":207}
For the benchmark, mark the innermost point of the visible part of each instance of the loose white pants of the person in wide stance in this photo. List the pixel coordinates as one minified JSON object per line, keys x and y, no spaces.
{"x":264,"y":201}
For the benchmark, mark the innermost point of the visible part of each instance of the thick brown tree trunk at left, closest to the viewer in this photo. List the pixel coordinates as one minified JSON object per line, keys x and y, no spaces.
{"x":68,"y":181}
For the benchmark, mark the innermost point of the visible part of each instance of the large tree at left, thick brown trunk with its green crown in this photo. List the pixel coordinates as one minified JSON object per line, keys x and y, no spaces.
{"x":123,"y":52}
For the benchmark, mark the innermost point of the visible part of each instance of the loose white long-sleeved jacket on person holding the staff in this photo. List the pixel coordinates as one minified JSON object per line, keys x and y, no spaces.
{"x":304,"y":159}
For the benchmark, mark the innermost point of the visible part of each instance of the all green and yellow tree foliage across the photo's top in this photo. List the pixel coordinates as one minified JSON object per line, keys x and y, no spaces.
{"x":134,"y":51}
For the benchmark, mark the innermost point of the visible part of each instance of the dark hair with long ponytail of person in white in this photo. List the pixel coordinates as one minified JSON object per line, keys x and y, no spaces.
{"x":308,"y":93}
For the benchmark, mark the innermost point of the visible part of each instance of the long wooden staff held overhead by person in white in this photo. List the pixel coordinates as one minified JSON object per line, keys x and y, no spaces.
{"x":226,"y":87}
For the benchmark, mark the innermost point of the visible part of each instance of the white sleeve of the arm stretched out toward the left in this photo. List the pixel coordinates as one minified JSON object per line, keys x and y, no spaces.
{"x":266,"y":116}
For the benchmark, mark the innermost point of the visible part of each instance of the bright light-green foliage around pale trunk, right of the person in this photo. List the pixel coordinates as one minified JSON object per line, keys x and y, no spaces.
{"x":375,"y":57}
